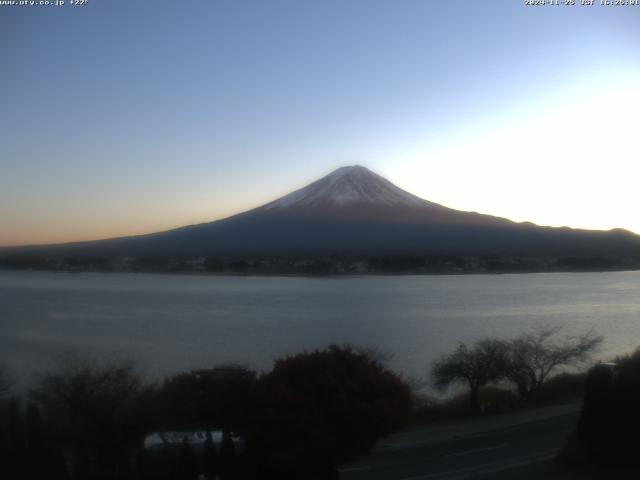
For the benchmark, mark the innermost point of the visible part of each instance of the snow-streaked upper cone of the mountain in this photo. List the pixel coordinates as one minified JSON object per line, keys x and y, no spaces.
{"x":348,"y":187}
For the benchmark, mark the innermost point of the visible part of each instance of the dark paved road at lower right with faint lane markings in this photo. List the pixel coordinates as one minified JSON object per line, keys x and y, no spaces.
{"x":522,"y":451}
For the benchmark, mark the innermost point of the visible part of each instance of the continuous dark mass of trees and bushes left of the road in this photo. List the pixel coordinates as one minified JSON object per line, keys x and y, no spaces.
{"x":311,"y":413}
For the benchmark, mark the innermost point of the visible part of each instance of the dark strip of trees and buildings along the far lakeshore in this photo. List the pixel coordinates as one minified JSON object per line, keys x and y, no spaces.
{"x":336,"y":264}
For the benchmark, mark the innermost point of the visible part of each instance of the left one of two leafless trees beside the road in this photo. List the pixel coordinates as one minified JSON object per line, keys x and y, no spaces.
{"x":482,"y":363}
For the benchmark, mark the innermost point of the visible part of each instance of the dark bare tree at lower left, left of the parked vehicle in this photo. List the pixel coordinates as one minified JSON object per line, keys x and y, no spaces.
{"x":97,"y":413}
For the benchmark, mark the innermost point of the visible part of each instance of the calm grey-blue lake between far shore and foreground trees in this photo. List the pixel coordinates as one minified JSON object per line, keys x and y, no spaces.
{"x":170,"y":323}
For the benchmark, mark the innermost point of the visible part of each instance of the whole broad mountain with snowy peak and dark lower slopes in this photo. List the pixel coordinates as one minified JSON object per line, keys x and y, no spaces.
{"x":355,"y":211}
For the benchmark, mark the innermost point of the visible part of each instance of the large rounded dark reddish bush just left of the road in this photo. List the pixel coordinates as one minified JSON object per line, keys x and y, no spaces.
{"x":327,"y":407}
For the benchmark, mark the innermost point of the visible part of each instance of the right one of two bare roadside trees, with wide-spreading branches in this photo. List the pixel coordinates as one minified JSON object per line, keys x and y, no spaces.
{"x":533,"y":357}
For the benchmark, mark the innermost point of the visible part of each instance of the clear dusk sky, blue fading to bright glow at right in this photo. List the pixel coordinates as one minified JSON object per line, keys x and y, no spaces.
{"x":126,"y":117}
